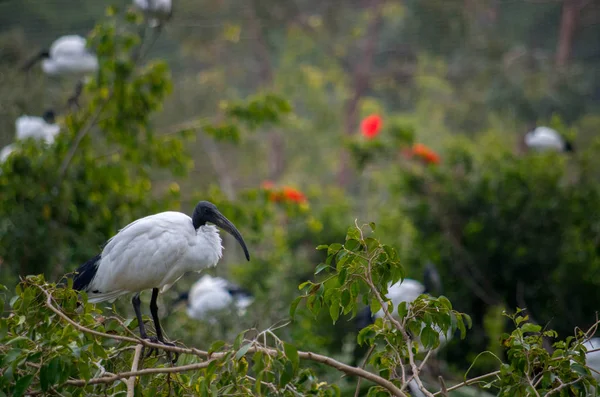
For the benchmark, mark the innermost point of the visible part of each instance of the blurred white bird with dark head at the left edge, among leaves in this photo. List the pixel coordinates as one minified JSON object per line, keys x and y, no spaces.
{"x":39,"y":128}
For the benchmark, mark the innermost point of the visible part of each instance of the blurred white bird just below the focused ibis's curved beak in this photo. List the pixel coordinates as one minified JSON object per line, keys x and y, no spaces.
{"x":210,"y":294}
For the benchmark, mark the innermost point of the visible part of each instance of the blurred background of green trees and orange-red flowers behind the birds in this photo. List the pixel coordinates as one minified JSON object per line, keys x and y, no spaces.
{"x":409,"y":114}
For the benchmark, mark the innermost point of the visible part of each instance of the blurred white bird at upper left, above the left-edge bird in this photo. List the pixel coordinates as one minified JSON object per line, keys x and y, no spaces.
{"x":67,"y":55}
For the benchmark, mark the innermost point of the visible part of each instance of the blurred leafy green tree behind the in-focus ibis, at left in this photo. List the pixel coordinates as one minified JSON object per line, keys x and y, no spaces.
{"x":59,"y":203}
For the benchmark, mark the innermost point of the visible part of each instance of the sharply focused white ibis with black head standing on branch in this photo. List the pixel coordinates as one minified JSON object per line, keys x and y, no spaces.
{"x":153,"y":253}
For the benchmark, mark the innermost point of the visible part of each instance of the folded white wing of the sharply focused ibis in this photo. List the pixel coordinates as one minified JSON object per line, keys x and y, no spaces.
{"x":148,"y":253}
